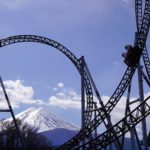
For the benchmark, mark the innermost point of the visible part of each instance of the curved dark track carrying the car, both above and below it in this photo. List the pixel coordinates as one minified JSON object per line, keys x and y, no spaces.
{"x":140,"y":42}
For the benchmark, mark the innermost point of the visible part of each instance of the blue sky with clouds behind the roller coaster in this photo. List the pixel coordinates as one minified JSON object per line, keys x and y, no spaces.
{"x":41,"y":76}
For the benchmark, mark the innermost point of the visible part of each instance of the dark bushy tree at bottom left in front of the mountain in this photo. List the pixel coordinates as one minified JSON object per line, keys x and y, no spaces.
{"x":32,"y":140}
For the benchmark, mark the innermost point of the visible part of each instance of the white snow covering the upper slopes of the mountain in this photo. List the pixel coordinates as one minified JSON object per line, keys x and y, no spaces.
{"x":43,"y":120}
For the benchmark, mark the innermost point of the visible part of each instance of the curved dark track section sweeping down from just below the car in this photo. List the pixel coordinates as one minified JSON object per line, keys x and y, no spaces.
{"x":75,"y":141}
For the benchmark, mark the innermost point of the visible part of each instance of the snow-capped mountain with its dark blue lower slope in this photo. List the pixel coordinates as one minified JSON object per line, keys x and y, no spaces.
{"x":55,"y":129}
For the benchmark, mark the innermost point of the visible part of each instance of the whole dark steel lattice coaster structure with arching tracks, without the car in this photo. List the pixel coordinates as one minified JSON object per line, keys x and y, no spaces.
{"x":113,"y":133}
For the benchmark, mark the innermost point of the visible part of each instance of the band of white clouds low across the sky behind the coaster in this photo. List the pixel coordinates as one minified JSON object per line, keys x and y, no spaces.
{"x":64,"y":98}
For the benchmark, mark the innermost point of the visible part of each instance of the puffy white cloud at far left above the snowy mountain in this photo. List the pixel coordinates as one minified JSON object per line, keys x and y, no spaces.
{"x":18,"y":94}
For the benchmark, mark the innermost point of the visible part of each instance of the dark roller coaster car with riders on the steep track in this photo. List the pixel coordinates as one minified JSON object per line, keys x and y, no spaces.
{"x":132,"y":56}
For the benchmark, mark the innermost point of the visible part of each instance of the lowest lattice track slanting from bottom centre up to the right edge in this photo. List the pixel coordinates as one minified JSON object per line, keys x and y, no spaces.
{"x":122,"y":127}
